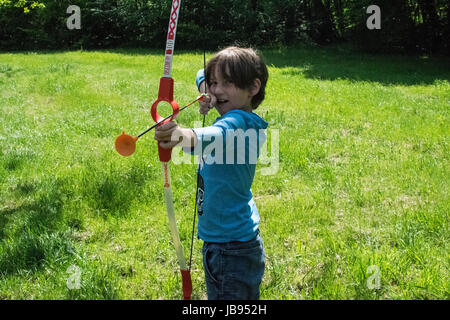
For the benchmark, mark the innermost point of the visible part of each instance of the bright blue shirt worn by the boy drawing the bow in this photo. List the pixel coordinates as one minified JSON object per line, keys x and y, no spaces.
{"x":230,"y":150}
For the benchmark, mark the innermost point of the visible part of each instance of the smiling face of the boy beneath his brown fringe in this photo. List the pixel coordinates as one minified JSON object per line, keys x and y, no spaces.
{"x":228,"y":96}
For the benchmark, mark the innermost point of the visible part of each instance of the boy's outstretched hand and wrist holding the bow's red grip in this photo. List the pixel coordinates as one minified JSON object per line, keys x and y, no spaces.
{"x":171,"y":135}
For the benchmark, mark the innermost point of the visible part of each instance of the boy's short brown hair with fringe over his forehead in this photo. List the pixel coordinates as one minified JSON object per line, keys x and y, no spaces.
{"x":245,"y":65}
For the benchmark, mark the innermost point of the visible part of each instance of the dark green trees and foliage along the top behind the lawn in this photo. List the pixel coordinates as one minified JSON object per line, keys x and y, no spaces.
{"x":407,"y":25}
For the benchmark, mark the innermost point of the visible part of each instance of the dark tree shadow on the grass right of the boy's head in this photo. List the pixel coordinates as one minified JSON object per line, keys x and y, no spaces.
{"x":335,"y":63}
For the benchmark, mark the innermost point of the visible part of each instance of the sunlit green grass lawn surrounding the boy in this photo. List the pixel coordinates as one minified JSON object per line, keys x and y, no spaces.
{"x":362,"y":179}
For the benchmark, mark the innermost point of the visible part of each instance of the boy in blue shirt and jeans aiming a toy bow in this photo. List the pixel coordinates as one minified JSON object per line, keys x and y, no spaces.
{"x":233,"y":252}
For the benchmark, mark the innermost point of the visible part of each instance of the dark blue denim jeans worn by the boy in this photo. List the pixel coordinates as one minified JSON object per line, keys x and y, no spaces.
{"x":233,"y":270}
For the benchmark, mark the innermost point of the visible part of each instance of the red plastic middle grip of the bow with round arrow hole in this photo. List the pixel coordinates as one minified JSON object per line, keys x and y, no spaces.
{"x":165,"y":94}
